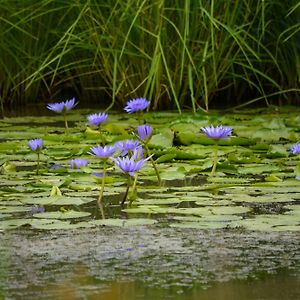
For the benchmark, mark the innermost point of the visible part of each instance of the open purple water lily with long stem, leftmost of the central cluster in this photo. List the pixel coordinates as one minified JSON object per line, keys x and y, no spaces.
{"x":103,"y":153}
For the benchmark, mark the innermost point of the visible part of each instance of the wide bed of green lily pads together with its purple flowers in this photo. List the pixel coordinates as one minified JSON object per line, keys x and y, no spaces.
{"x":254,"y":167}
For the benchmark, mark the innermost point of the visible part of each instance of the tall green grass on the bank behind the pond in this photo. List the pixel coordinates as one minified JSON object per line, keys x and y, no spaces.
{"x":180,"y":54}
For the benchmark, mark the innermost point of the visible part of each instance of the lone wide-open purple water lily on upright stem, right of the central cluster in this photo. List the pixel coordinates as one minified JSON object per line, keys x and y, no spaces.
{"x":216,"y":133}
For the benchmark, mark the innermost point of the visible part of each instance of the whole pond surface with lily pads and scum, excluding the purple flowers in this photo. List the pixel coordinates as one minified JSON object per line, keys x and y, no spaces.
{"x":231,"y":236}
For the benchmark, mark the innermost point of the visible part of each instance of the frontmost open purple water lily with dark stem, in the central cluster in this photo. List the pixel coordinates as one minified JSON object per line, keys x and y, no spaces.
{"x":130,"y":165}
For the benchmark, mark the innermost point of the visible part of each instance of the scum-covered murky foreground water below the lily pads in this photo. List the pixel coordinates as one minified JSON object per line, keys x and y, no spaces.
{"x":149,"y":263}
